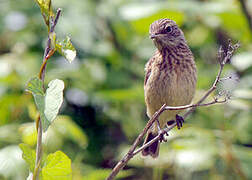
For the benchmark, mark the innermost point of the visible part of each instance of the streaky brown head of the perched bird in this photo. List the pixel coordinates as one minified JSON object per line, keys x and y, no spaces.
{"x":165,"y":33}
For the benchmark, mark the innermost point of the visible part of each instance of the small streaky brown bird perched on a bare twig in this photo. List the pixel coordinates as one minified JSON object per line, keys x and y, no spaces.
{"x":170,"y":77}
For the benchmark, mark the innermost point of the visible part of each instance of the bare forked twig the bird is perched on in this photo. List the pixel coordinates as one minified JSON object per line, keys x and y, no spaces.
{"x":223,"y":58}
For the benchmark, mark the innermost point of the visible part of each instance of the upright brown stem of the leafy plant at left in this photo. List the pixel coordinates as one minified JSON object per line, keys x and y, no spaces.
{"x":47,"y":54}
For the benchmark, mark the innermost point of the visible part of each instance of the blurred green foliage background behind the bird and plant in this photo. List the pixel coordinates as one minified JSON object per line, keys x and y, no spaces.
{"x":103,"y":109}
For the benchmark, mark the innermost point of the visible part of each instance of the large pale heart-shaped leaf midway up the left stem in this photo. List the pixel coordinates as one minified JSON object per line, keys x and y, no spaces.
{"x":47,"y":104}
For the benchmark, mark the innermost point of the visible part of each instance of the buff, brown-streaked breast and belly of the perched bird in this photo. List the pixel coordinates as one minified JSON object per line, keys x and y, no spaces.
{"x":172,"y":83}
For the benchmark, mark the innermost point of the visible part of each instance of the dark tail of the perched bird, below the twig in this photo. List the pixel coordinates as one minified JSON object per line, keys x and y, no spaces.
{"x":153,"y":149}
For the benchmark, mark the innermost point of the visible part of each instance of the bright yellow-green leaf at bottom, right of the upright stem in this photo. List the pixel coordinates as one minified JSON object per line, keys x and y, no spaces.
{"x":57,"y":167}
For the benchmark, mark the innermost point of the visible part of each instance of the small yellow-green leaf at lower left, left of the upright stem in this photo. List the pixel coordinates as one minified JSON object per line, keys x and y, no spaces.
{"x":28,"y":155}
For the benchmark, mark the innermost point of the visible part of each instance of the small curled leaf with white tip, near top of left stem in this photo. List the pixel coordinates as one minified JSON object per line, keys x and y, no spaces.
{"x":66,"y":49}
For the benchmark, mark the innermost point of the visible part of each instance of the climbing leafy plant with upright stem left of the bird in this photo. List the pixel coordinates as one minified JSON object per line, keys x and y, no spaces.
{"x":48,"y":102}
